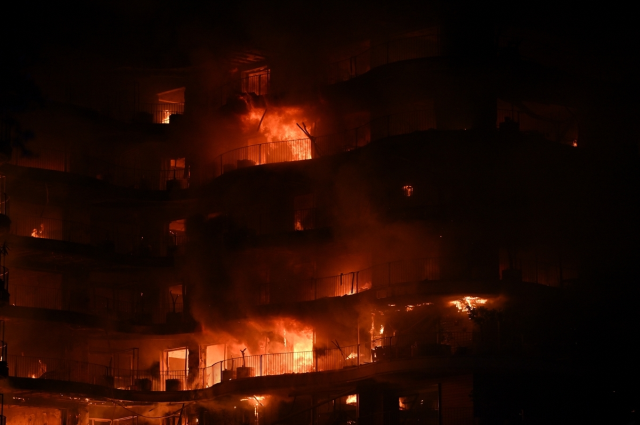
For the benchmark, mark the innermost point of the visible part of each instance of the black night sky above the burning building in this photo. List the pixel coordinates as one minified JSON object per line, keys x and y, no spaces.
{"x":592,"y":39}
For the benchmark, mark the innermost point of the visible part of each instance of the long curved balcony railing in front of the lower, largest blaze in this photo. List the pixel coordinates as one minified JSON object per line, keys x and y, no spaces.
{"x":320,"y":360}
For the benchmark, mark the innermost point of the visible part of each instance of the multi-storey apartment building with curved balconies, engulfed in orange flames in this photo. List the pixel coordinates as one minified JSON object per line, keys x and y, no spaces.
{"x":385,"y":228}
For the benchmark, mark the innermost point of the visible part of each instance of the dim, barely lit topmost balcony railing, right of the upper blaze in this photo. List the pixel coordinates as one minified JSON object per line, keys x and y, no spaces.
{"x":408,"y":48}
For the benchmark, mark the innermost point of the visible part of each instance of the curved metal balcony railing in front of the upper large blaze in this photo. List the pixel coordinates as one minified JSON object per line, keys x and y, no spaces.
{"x":303,"y":149}
